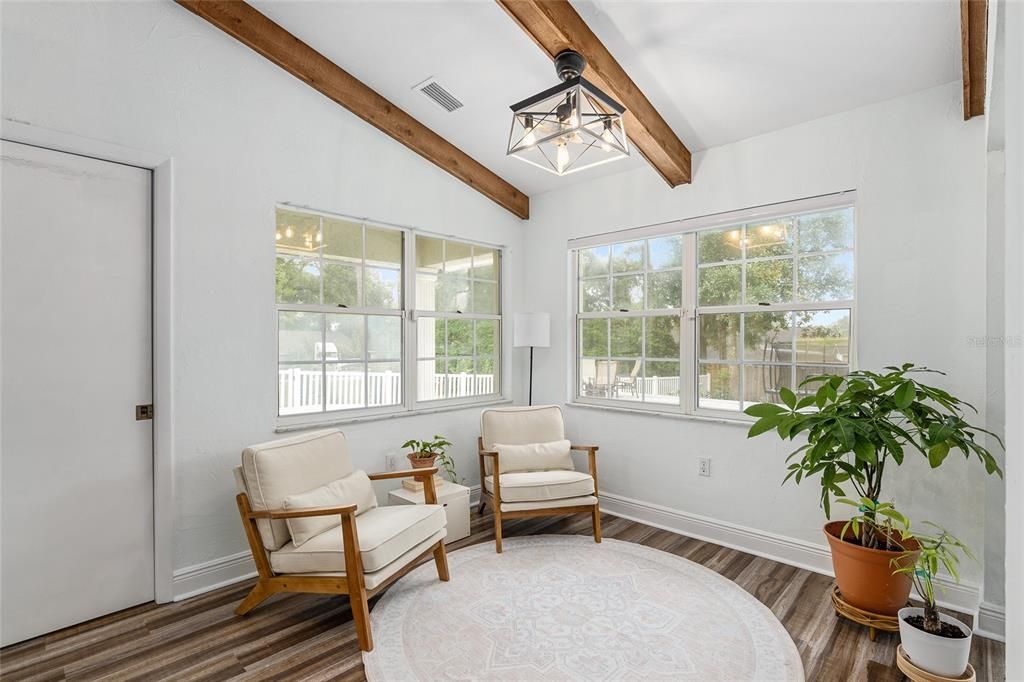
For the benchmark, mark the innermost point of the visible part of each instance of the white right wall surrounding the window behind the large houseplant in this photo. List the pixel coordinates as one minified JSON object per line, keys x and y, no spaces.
{"x":920,"y":175}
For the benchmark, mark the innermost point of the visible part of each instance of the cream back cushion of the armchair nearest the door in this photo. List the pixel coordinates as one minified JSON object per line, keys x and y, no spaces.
{"x":279,"y":468}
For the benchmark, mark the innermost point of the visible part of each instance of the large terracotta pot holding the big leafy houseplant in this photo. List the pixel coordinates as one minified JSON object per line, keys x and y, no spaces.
{"x":866,"y":576}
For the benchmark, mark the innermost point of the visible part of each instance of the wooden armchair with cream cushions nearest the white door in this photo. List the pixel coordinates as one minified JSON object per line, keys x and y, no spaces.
{"x":335,"y":561}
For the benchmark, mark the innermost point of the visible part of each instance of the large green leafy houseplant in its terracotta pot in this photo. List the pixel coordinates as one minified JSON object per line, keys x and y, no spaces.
{"x":857,"y":428}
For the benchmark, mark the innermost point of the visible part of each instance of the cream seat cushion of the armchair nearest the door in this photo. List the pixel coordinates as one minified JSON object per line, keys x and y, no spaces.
{"x":386,"y":534}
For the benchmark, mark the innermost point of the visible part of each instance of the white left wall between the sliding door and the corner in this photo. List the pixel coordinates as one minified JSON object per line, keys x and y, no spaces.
{"x":244,"y":135}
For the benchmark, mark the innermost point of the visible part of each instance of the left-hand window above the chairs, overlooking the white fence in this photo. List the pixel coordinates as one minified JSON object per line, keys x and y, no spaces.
{"x":344,"y":332}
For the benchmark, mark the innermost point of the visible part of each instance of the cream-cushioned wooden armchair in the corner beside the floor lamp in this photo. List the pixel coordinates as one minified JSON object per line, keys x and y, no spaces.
{"x":520,"y":494}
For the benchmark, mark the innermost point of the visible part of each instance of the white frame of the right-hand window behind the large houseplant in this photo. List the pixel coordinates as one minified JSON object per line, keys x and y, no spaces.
{"x":689,"y":361}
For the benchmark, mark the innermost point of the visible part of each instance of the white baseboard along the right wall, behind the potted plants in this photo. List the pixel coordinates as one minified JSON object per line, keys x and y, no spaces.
{"x":963,"y":598}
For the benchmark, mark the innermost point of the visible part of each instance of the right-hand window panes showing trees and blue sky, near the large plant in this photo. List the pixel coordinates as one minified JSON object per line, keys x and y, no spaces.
{"x":717,"y":318}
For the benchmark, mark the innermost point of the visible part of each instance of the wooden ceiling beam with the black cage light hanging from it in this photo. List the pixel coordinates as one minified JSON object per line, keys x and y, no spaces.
{"x":556,"y":26}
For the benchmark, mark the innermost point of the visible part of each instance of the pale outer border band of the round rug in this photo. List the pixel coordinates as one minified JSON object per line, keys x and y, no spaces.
{"x":425,"y":576}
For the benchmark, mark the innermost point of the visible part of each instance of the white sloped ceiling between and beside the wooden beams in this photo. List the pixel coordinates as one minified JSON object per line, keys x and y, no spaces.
{"x":717,"y":72}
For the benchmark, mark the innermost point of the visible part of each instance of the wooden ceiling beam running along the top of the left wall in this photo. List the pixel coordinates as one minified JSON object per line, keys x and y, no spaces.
{"x":251,"y":28}
